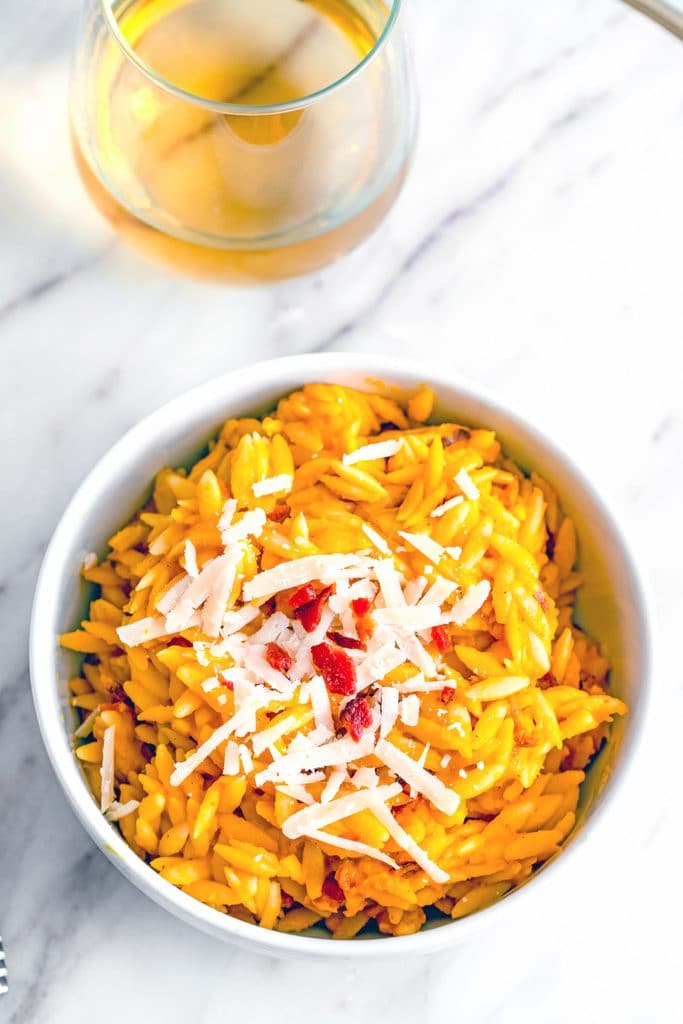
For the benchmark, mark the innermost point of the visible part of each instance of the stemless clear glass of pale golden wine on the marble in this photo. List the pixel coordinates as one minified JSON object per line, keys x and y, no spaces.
{"x":243,"y":140}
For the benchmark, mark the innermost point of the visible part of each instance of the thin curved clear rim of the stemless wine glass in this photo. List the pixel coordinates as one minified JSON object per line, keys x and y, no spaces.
{"x":246,"y":109}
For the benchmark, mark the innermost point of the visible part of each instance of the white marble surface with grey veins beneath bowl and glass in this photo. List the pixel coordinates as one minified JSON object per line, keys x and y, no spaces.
{"x":537,"y":248}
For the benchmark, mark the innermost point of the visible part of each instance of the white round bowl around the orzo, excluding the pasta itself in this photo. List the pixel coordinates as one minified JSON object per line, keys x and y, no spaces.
{"x":612,"y":608}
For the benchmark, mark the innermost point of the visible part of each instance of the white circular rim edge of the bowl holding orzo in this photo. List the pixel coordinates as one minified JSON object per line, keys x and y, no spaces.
{"x":144,"y":437}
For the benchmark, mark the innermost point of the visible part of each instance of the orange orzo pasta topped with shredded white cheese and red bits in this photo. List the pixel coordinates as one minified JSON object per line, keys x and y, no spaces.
{"x":332,"y":673}
